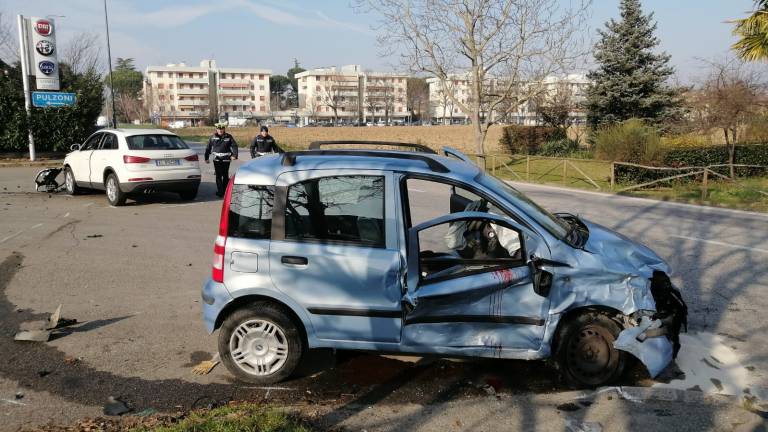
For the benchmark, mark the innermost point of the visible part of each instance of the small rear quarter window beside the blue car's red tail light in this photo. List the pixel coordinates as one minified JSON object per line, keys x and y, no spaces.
{"x":250,"y":211}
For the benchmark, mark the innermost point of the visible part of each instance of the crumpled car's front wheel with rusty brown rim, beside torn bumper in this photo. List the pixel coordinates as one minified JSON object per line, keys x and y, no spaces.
{"x":585,"y":354}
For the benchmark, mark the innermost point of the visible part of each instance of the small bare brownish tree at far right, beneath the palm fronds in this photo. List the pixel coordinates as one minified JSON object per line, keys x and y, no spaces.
{"x":727,"y":99}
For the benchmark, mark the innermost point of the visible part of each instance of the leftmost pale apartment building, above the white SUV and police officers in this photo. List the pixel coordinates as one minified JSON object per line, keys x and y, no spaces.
{"x":197,"y":95}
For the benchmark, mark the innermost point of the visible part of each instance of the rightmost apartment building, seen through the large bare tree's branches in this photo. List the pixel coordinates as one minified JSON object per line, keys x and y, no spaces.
{"x":445,"y":110}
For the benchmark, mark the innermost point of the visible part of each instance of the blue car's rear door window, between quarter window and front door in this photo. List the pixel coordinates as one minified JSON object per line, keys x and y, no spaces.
{"x":345,"y":209}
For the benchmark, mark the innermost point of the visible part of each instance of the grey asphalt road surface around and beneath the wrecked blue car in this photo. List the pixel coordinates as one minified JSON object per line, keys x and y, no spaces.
{"x":131,"y":276}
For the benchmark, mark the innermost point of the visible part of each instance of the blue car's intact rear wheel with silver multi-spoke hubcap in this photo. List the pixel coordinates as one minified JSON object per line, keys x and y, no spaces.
{"x":260,"y":344}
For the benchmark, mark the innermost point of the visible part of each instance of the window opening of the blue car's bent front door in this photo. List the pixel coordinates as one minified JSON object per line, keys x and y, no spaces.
{"x":458,"y":248}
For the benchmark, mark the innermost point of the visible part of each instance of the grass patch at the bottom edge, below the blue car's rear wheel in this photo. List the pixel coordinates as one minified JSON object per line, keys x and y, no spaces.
{"x":233,"y":418}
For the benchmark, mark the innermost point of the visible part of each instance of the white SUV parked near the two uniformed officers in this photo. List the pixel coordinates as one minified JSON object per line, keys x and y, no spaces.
{"x":132,"y":161}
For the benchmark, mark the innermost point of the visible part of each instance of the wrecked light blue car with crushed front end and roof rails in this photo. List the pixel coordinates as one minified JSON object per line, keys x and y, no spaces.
{"x":399,"y":249}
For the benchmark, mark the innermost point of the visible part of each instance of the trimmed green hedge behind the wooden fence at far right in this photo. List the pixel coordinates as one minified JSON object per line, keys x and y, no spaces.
{"x":745,"y":154}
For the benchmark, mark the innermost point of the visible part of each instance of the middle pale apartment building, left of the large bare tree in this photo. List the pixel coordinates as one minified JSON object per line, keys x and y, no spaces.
{"x":348,"y":94}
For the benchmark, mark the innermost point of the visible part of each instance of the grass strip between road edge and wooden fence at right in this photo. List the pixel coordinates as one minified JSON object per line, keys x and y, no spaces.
{"x":746,"y":194}
